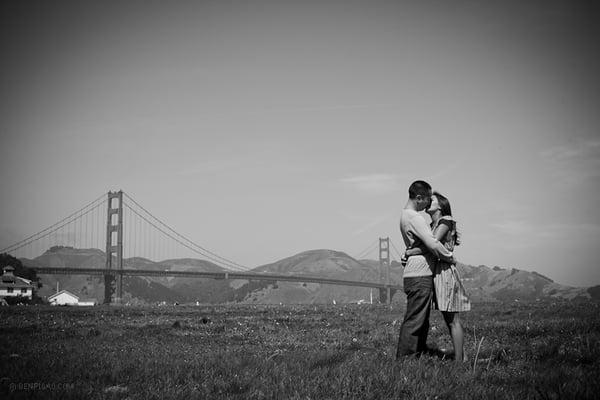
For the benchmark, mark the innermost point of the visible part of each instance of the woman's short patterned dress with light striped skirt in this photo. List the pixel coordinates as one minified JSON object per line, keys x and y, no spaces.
{"x":450,"y":294}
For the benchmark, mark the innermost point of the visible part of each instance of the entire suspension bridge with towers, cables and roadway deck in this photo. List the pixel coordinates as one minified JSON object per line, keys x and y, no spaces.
{"x":133,"y":237}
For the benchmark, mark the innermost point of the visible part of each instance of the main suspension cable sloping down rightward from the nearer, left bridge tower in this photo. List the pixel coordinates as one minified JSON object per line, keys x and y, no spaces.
{"x":179,"y":238}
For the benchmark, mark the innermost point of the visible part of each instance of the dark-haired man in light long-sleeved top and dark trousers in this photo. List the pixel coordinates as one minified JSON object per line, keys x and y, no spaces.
{"x":418,"y":272}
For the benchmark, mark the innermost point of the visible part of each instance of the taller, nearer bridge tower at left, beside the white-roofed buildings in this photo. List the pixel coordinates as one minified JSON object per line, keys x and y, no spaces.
{"x":114,"y":248}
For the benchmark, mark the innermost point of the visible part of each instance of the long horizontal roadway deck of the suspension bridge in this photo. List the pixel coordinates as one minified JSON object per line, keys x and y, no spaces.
{"x":213,"y":275}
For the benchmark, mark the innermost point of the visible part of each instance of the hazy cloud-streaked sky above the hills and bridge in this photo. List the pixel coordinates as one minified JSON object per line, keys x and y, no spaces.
{"x":261,"y":129}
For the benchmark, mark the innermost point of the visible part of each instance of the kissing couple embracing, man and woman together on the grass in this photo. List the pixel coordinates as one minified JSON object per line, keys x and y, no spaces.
{"x":430,"y":274}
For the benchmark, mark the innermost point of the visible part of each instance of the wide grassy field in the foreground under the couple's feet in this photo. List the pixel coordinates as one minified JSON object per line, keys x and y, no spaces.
{"x":535,"y":351}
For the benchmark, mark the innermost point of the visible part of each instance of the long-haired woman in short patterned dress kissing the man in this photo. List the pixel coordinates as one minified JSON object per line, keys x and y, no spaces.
{"x":450,"y":294}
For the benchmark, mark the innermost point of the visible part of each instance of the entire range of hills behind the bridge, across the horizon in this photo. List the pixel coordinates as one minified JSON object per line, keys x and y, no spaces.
{"x":483,"y":283}
